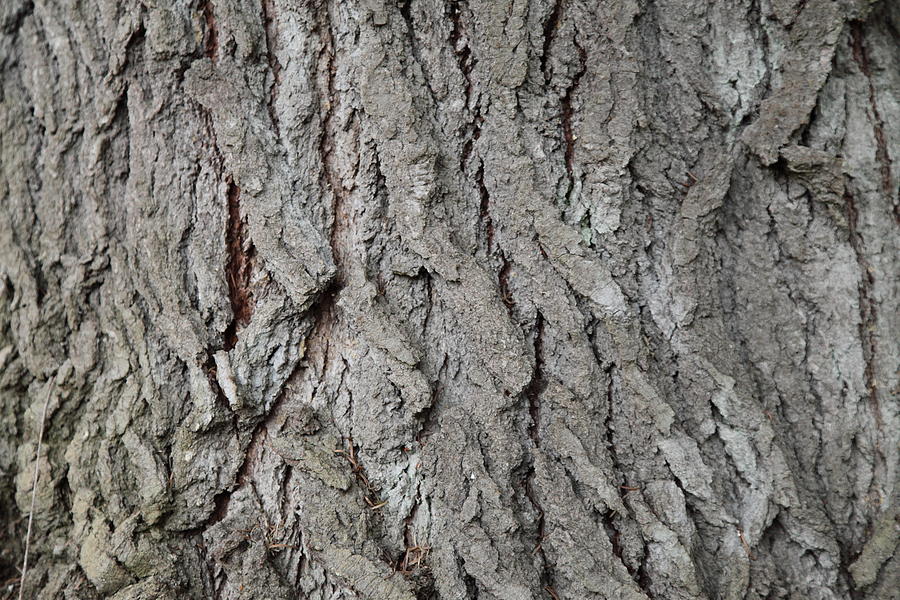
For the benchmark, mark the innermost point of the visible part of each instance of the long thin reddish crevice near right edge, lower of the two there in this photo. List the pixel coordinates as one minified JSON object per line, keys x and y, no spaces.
{"x":868,"y":315}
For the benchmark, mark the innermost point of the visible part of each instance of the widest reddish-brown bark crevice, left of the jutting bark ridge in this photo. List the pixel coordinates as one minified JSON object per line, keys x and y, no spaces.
{"x":239,"y":267}
